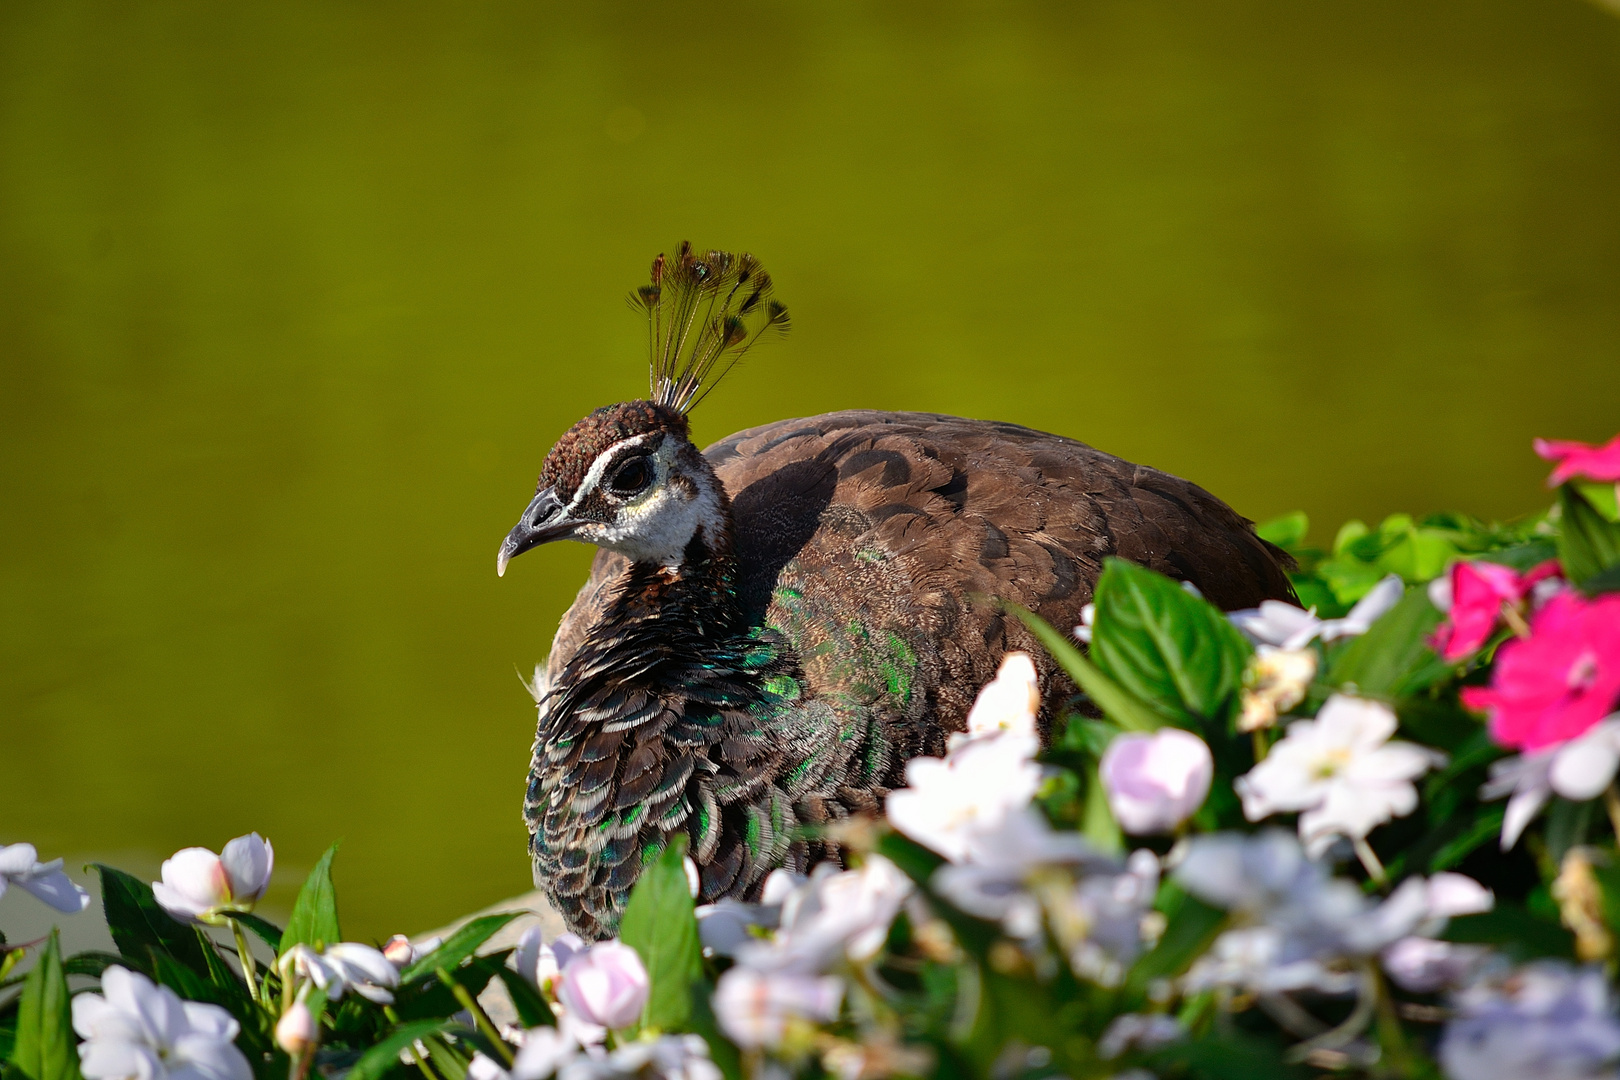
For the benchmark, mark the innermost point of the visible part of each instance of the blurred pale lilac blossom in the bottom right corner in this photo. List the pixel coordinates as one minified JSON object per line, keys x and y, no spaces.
{"x":1546,"y":1021}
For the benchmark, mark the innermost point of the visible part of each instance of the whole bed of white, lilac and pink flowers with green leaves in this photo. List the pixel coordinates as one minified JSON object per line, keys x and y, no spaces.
{"x":1370,"y":836}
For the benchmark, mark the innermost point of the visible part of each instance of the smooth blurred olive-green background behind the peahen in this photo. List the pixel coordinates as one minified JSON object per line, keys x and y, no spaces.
{"x":294,"y":299}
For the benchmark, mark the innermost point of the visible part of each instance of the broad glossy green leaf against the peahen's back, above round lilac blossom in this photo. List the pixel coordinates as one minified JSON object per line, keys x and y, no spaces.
{"x":1166,"y":647}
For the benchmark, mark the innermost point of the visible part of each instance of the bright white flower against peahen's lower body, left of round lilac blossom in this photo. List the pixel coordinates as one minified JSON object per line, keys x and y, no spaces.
{"x":950,"y":802}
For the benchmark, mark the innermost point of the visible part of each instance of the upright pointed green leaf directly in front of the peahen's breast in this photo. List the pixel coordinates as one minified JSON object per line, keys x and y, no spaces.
{"x":660,"y":925}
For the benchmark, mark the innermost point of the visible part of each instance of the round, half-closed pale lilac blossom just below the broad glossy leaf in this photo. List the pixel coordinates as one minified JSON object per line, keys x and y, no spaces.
{"x":1156,"y":781}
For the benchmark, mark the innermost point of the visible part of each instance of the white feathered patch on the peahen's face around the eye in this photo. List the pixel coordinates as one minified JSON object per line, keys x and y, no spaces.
{"x":659,"y":524}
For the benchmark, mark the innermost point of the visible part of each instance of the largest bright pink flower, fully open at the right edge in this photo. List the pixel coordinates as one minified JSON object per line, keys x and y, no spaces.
{"x":1559,"y":682}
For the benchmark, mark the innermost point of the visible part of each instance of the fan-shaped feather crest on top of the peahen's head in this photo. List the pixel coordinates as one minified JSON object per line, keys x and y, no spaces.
{"x":704,"y":312}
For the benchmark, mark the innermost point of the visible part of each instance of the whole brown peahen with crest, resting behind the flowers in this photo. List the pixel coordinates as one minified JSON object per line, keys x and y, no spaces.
{"x":777,"y":624}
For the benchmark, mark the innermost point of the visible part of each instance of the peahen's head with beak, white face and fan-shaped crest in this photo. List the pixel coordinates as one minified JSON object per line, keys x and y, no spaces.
{"x":628,"y":477}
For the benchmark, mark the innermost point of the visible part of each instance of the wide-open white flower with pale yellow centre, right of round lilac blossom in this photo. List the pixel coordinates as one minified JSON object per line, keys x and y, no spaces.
{"x":1341,"y":770}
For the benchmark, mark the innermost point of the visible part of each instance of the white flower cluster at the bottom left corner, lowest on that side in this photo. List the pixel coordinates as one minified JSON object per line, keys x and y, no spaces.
{"x":135,"y":1031}
